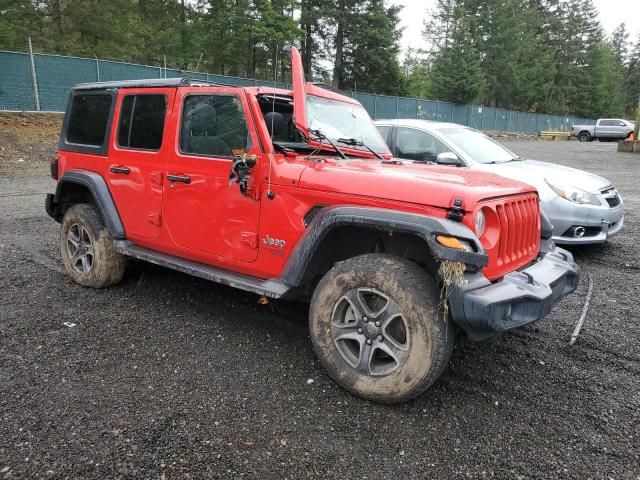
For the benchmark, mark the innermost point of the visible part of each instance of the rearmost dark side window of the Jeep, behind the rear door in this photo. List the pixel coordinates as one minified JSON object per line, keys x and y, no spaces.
{"x":88,"y":119}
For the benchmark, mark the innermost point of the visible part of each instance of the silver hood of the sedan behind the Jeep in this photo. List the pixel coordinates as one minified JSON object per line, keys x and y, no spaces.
{"x":535,"y":173}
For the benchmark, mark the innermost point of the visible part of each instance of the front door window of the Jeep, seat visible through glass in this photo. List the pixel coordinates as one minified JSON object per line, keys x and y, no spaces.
{"x":213,"y":125}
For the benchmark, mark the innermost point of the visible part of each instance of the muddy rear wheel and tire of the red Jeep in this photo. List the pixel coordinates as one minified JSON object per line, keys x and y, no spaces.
{"x":87,"y":248}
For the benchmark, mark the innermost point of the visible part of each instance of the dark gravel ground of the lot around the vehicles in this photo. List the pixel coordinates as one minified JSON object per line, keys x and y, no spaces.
{"x":167,"y":376}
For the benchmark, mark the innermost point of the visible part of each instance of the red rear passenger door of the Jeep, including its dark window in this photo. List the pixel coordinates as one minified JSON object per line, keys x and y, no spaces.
{"x":139,"y":147}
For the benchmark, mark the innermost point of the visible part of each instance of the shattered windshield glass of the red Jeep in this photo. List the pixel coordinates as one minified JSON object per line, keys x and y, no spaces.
{"x":337,"y":120}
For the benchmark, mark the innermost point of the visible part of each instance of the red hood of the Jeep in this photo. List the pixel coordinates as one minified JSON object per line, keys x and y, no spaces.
{"x":422,"y":184}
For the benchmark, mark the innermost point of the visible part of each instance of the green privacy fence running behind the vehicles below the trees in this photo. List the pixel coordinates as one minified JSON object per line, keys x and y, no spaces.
{"x":54,"y":76}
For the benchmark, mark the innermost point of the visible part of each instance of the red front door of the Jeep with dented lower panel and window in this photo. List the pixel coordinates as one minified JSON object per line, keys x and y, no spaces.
{"x":202,"y":210}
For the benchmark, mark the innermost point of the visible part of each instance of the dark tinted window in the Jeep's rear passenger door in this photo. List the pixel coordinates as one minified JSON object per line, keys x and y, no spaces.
{"x":141,"y":122}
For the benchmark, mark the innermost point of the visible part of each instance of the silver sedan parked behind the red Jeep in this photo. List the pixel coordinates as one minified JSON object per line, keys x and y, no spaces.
{"x":583,"y":208}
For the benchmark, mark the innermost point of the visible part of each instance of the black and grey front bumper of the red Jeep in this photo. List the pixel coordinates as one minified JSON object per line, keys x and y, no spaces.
{"x":484,"y":309}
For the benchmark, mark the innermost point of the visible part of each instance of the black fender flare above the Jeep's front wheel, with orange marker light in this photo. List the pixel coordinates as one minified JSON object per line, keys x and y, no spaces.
{"x":423,"y":226}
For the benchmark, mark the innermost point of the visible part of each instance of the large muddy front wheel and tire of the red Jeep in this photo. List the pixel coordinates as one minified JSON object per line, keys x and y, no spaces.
{"x":377,"y":330}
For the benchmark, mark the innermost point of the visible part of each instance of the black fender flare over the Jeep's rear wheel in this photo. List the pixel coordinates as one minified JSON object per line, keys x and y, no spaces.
{"x":97,"y":187}
